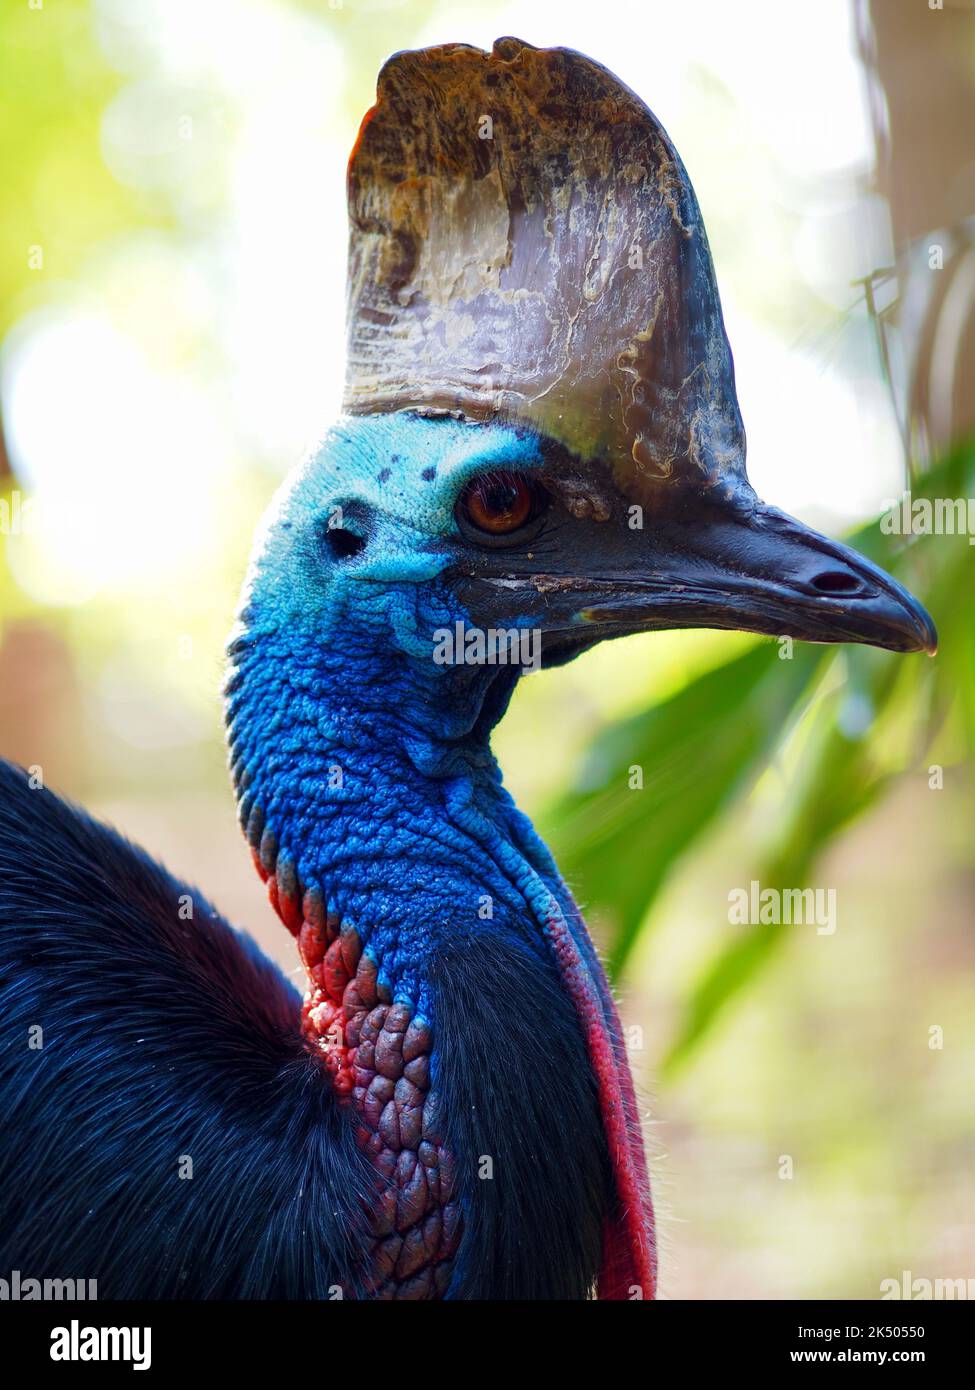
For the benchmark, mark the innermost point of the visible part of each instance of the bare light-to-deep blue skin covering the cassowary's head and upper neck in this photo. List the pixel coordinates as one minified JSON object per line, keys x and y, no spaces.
{"x":364,"y":767}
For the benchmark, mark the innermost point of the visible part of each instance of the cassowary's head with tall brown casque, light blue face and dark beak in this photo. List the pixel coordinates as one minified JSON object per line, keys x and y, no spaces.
{"x":543,"y":440}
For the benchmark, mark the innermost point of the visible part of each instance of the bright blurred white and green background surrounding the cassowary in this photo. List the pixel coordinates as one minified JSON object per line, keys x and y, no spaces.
{"x":172,"y":300}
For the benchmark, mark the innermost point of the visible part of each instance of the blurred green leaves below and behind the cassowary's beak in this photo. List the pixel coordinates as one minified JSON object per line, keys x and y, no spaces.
{"x":709,"y":744}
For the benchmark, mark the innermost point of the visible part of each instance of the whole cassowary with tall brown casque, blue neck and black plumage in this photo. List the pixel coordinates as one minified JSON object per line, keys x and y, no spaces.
{"x":542,"y":448}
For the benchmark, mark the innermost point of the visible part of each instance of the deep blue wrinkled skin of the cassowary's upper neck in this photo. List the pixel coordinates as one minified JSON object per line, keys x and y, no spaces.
{"x":379,"y":789}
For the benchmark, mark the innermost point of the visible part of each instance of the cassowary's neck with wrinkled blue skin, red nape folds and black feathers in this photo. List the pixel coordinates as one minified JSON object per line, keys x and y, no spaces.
{"x":436,"y":936}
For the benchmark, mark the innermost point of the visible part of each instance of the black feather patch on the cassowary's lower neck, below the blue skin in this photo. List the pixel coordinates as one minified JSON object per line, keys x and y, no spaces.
{"x":514,"y":1064}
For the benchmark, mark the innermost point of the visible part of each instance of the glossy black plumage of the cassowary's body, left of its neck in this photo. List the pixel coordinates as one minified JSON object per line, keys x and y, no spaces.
{"x":162,"y":1038}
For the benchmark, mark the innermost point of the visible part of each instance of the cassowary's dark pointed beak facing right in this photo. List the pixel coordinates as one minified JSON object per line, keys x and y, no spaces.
{"x":728,"y":566}
